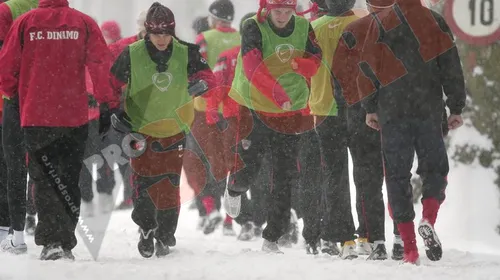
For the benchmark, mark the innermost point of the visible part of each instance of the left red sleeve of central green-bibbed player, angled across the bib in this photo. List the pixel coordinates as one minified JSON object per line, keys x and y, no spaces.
{"x":257,"y":73}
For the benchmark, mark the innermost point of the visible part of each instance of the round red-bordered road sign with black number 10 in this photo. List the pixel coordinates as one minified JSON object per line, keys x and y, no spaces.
{"x":476,"y":22}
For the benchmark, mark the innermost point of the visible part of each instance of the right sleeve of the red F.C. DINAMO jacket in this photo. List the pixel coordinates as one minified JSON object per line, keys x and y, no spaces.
{"x":99,"y":63}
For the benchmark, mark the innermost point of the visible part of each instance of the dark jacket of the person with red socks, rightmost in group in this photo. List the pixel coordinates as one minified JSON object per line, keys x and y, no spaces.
{"x":408,"y":60}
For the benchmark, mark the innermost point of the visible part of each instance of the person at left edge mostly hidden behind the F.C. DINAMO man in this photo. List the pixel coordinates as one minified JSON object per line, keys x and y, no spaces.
{"x":13,"y":189}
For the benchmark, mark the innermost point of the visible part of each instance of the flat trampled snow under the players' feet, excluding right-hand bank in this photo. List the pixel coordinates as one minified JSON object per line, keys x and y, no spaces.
{"x":216,"y":257}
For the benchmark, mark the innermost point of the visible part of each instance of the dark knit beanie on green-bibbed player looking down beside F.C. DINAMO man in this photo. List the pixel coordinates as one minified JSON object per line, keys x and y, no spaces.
{"x":160,"y":20}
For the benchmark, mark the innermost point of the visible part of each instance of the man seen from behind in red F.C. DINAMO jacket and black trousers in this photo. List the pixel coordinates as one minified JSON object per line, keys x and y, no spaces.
{"x":48,"y":48}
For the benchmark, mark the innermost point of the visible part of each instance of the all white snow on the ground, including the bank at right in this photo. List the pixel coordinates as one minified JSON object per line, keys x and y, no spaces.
{"x":466,"y":226}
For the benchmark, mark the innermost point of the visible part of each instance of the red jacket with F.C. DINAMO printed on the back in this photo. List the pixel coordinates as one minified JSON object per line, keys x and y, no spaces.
{"x":43,"y":61}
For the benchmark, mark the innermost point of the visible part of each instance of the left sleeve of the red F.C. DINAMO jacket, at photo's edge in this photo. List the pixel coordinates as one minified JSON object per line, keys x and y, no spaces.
{"x":11,"y":61}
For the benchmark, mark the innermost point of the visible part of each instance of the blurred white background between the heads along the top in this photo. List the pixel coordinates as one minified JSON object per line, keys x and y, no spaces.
{"x":125,"y":12}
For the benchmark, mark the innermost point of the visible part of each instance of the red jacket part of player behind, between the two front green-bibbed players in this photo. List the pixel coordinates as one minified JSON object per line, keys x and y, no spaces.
{"x":224,"y":73}
